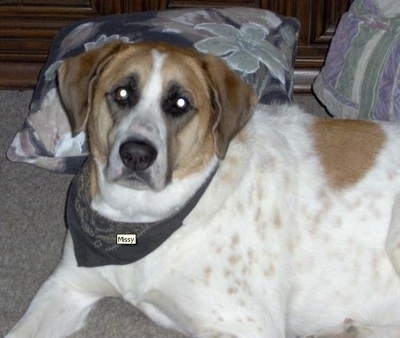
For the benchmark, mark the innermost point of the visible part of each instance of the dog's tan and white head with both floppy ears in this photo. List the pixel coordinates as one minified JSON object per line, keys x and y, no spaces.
{"x":153,"y":112}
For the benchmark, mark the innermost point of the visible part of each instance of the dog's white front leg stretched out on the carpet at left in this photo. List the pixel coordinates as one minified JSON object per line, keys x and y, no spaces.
{"x":63,"y":302}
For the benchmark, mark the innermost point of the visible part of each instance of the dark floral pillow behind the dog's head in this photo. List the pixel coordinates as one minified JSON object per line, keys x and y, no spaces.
{"x":256,"y":43}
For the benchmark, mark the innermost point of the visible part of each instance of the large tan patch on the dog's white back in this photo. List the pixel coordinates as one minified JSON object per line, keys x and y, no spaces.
{"x":347,"y":149}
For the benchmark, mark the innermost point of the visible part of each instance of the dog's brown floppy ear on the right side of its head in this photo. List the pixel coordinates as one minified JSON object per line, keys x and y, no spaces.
{"x":233,"y":102}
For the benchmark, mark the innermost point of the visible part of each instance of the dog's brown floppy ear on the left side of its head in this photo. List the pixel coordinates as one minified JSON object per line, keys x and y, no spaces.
{"x":76,"y":79}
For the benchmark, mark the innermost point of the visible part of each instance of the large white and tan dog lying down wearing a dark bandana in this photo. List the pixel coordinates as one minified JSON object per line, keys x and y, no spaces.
{"x":288,"y":225}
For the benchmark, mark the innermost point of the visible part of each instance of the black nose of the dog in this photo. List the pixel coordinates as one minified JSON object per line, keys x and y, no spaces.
{"x":137,"y":155}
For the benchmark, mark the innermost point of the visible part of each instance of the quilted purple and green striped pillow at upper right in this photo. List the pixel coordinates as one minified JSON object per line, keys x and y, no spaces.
{"x":361,"y":75}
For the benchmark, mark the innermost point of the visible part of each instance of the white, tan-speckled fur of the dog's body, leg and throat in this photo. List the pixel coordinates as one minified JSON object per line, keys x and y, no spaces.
{"x":271,"y":250}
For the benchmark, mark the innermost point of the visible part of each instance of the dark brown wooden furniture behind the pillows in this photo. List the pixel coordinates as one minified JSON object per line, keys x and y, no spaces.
{"x":27,"y":28}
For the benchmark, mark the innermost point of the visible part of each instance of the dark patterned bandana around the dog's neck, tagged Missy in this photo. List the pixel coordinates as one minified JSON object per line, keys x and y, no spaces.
{"x":95,"y":237}
